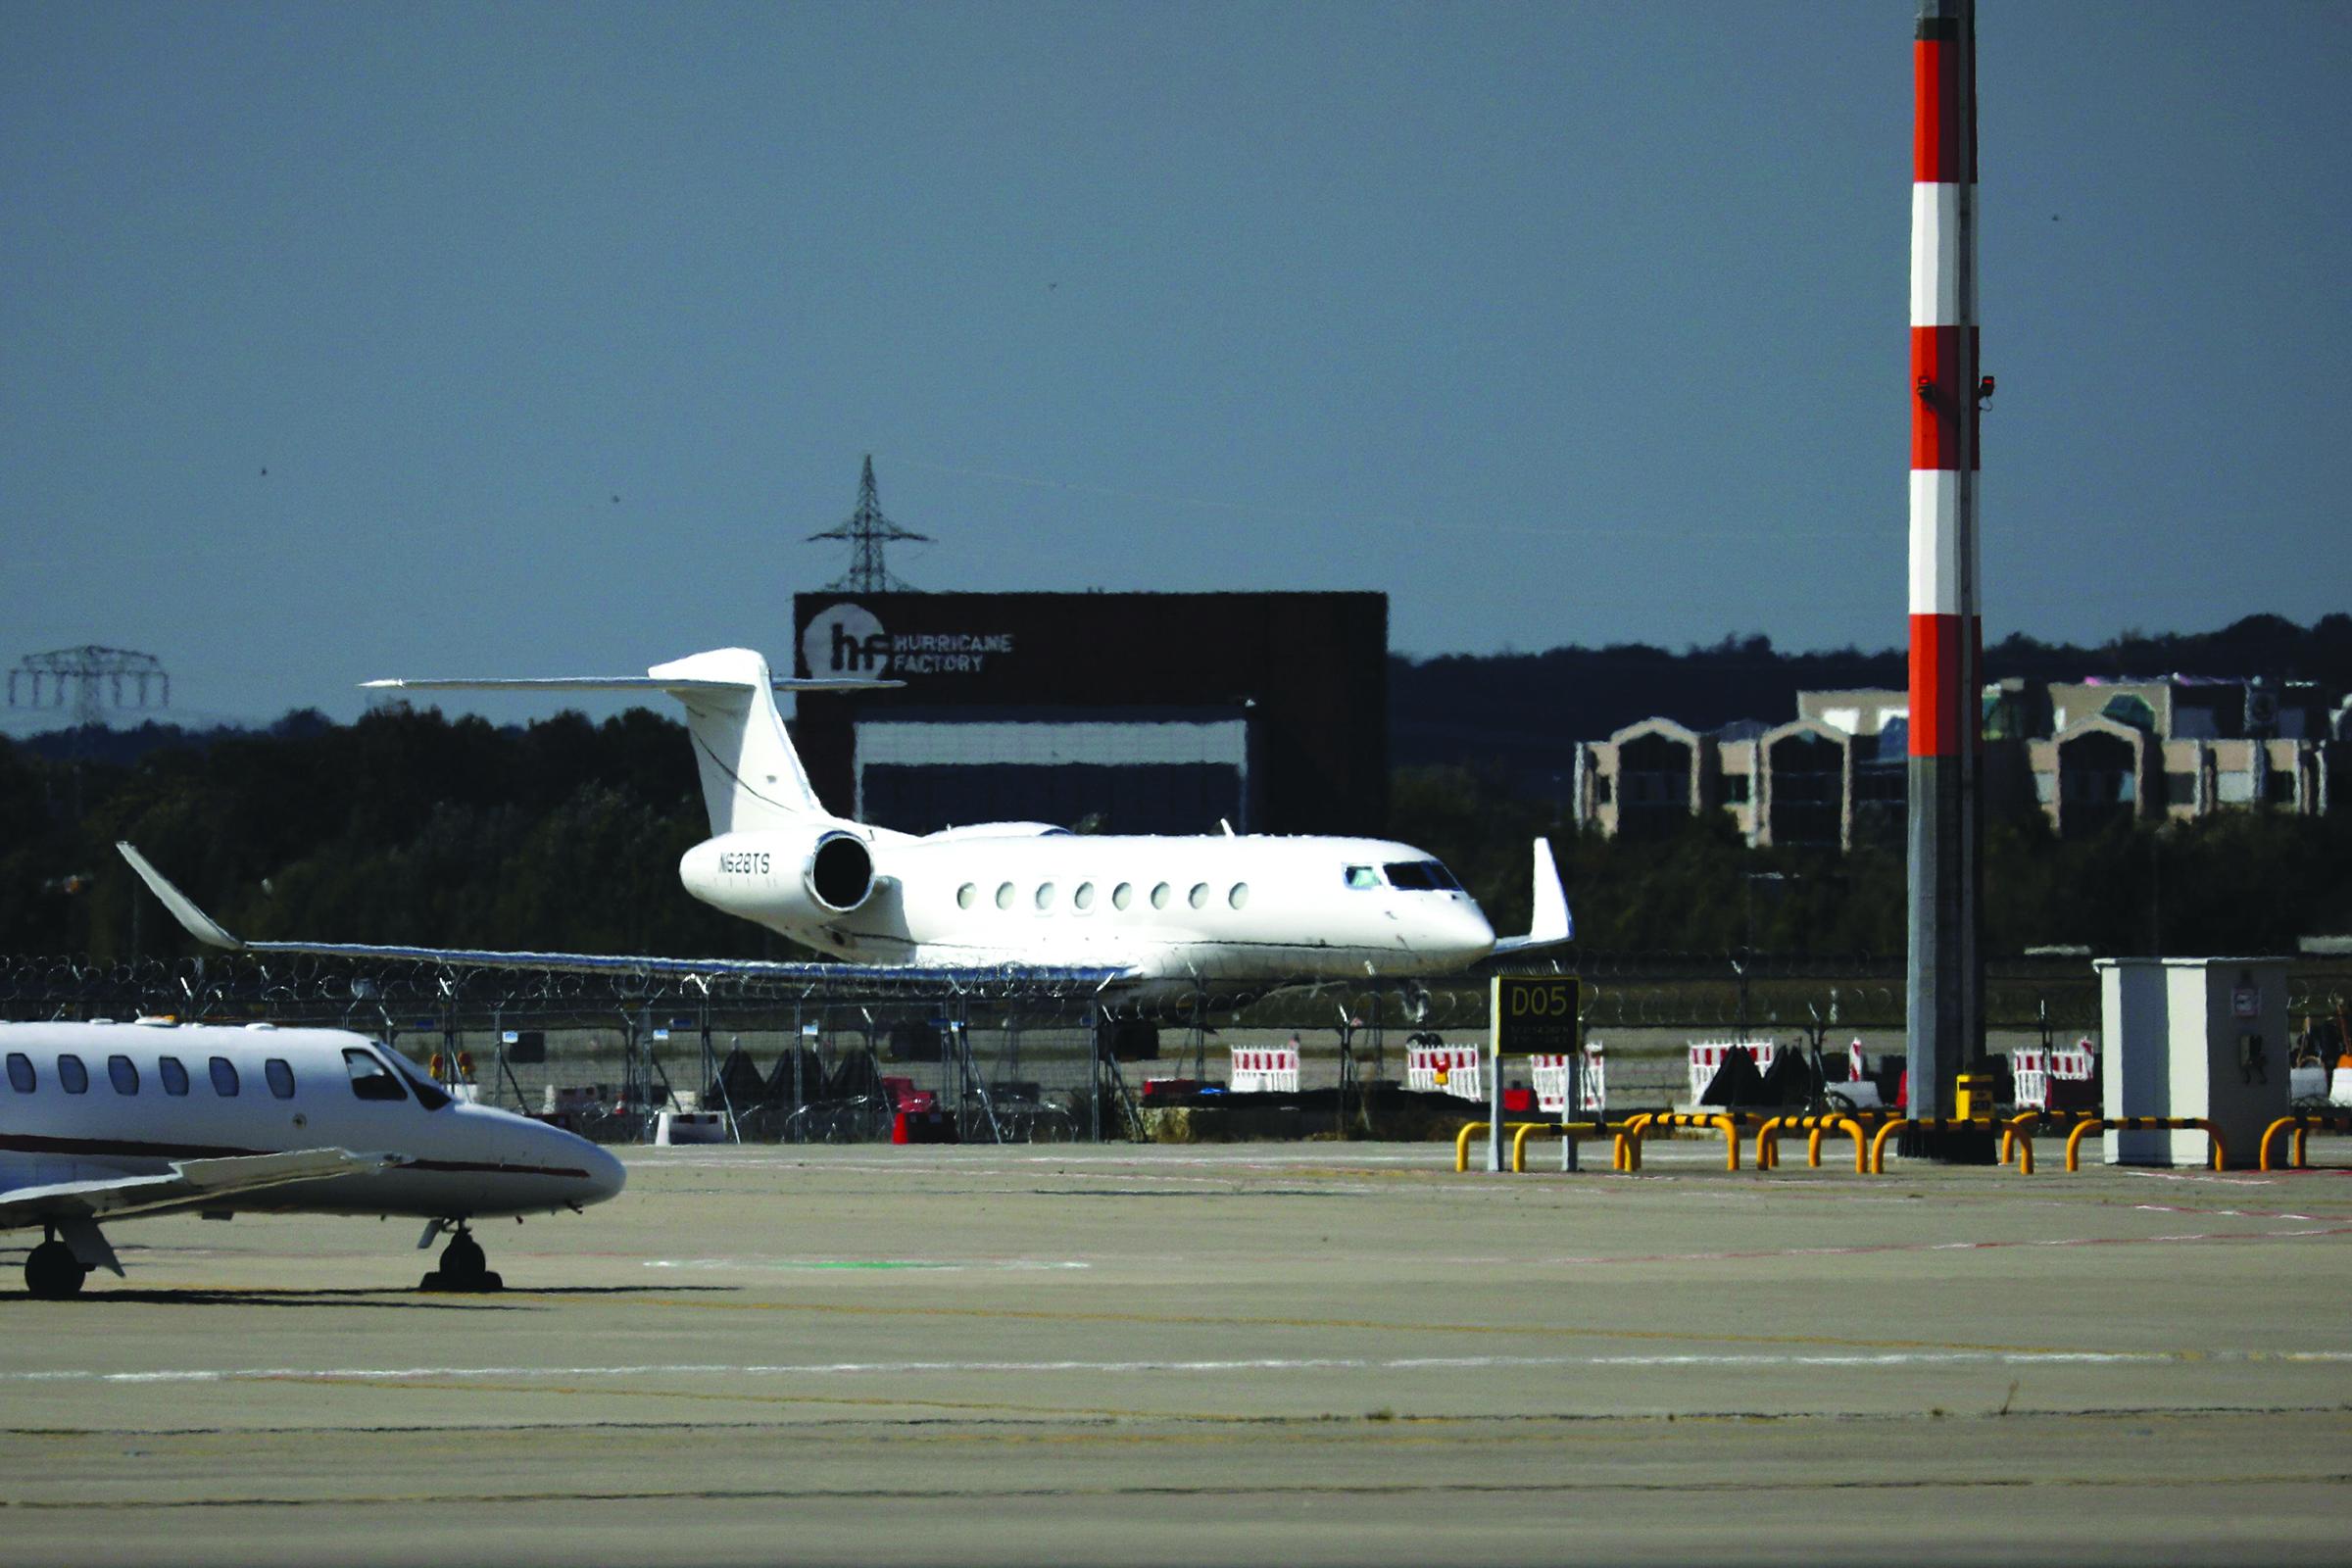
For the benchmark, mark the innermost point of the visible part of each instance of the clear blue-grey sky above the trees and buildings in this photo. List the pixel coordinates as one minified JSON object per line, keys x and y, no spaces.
{"x":559,"y":328}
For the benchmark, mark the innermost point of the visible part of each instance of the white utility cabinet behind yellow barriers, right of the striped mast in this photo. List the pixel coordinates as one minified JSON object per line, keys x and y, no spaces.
{"x":2193,"y":1038}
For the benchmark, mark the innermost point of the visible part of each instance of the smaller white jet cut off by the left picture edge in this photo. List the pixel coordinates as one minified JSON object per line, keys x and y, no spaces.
{"x":119,"y":1120}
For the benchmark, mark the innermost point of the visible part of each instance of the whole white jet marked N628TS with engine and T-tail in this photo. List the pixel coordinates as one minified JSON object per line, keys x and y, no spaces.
{"x":1144,"y":918}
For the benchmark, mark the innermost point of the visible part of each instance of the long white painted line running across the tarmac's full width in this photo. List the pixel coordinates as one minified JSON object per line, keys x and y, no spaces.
{"x":1252,"y":1365}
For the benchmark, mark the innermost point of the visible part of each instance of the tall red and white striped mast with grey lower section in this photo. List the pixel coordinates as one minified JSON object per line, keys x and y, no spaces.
{"x":1946,"y":631}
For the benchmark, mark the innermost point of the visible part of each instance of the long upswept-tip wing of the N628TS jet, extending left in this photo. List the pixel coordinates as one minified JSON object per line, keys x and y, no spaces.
{"x":215,"y":934}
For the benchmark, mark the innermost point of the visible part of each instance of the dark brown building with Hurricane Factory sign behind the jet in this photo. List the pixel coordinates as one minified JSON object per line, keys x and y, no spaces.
{"x":1102,"y":711}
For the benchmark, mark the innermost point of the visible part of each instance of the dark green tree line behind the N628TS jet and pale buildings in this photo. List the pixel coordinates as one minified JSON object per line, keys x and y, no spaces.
{"x":566,"y":833}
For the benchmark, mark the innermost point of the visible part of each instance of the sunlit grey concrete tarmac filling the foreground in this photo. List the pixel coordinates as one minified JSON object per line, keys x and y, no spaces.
{"x":1222,"y":1355}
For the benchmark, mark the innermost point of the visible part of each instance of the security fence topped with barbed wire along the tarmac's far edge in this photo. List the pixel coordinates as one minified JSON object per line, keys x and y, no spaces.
{"x":1015,"y":1057}
